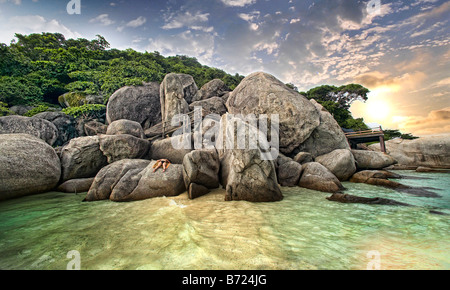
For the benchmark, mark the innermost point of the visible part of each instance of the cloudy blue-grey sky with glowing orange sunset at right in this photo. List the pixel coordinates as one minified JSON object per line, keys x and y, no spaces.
{"x":399,"y":50}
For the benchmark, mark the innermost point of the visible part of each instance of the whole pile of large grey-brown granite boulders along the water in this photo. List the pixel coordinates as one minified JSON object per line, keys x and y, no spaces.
{"x":117,"y":158}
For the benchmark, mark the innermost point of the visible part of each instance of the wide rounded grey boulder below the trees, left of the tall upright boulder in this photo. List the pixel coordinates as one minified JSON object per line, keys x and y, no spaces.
{"x":140,"y":104}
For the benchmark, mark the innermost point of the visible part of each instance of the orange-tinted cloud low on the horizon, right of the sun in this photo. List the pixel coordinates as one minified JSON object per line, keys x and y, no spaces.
{"x":436,"y":122}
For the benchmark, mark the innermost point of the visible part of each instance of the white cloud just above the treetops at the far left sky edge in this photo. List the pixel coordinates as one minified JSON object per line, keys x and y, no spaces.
{"x":33,"y":24}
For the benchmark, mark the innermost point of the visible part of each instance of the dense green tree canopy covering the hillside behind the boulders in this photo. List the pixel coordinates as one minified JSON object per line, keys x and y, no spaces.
{"x":40,"y":67}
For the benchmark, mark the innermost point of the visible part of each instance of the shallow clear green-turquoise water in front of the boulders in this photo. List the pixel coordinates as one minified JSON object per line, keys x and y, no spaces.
{"x":304,"y":231}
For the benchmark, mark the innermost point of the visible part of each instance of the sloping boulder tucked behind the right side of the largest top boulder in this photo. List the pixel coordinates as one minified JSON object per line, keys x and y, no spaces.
{"x":328,"y":136}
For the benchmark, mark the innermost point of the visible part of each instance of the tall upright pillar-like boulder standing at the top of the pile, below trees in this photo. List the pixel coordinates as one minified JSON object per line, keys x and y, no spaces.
{"x":176,"y":93}
